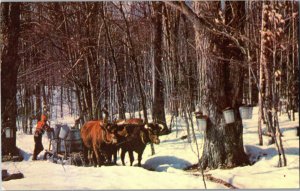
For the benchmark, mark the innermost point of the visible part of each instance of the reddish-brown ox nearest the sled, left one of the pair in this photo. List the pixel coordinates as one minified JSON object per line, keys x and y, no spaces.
{"x":96,"y":136}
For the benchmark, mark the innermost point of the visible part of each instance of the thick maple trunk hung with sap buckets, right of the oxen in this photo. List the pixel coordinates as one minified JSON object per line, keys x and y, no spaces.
{"x":223,"y":146}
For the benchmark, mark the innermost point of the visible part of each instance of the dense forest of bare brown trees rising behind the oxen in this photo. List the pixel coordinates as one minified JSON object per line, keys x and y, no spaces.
{"x":155,"y":58}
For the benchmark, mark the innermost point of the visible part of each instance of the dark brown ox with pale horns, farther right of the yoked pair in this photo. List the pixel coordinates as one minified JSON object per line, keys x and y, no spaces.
{"x":138,"y":136}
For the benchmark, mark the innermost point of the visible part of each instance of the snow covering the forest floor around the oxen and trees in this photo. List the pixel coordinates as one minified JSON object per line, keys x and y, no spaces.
{"x":172,"y":155}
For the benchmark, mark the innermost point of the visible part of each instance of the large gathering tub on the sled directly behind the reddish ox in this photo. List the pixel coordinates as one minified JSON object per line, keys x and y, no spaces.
{"x":74,"y":143}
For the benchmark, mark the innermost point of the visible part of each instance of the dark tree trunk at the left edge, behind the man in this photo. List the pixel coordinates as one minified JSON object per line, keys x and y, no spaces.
{"x":10,"y":24}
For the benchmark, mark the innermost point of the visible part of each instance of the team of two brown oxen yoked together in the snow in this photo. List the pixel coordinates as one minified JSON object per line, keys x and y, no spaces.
{"x":104,"y":139}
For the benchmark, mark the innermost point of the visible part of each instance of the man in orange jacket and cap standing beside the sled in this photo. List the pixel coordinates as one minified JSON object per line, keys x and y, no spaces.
{"x":41,"y":127}
